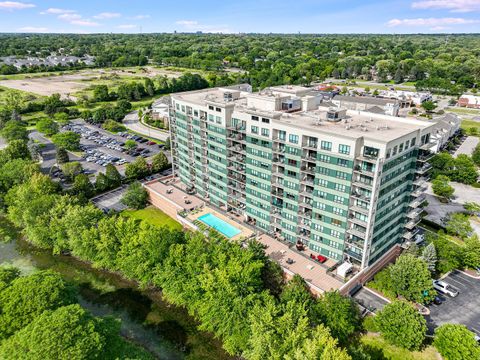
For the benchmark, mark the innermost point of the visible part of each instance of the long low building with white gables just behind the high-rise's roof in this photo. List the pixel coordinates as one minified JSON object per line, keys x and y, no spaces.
{"x":367,"y":103}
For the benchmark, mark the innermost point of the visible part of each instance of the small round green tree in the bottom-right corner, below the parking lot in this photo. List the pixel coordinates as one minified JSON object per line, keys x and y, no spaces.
{"x":455,"y":342}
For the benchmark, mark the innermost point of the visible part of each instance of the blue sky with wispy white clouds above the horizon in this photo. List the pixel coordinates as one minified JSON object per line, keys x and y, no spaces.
{"x":241,"y":16}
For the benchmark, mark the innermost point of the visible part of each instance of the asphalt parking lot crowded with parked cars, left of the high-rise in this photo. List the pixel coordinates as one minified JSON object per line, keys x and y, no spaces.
{"x":103,"y":148}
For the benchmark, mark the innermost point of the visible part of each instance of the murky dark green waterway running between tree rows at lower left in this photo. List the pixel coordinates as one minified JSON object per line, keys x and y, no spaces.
{"x":167,"y":331}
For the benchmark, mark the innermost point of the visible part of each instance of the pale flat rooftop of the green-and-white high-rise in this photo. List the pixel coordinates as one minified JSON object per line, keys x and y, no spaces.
{"x":356,"y":124}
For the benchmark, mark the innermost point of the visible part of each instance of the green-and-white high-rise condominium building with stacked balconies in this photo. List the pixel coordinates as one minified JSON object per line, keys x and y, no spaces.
{"x":344,"y":183}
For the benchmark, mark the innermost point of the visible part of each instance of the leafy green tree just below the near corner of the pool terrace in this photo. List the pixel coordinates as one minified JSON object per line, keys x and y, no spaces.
{"x":340,"y":314}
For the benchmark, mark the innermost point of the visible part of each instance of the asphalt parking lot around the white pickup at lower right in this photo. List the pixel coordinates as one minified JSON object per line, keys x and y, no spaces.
{"x":462,"y":309}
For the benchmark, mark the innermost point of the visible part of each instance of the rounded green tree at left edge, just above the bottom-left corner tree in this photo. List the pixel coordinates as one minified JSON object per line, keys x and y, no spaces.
{"x":29,"y":296}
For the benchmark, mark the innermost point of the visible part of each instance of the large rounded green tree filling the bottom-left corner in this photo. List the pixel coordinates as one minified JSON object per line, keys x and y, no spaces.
{"x":69,"y":332}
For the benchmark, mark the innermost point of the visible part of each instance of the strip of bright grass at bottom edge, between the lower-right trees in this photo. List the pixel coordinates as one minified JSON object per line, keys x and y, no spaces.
{"x":379,"y":349}
